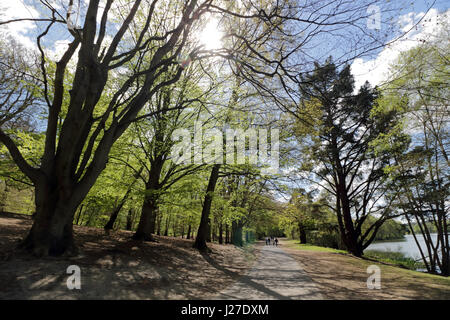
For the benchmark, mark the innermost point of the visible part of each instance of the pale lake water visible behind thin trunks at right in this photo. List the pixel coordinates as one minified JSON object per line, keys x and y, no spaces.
{"x":407,"y":246}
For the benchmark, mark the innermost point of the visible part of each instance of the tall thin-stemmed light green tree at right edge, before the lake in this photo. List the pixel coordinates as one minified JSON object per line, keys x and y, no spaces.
{"x":421,"y":173}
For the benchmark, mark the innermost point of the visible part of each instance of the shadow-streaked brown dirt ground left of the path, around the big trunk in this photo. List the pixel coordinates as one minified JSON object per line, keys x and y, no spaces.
{"x":116,"y":267}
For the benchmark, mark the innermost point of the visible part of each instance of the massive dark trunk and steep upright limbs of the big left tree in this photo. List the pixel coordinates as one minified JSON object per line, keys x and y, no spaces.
{"x":76,"y":153}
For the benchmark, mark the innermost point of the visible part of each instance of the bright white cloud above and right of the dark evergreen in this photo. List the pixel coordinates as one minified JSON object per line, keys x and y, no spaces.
{"x":376,"y":71}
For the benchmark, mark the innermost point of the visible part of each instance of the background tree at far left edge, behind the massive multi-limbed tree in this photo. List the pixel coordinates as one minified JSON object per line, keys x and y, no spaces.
{"x":20,"y":98}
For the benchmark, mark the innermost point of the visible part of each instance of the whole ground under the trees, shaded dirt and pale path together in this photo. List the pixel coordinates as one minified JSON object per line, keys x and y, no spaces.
{"x":116,"y":267}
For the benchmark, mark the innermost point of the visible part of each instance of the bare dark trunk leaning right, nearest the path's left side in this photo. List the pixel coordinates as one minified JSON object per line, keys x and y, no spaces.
{"x":203,"y":229}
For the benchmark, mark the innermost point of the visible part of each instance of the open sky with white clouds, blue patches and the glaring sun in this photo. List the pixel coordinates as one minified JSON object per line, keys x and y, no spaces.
{"x":373,"y":68}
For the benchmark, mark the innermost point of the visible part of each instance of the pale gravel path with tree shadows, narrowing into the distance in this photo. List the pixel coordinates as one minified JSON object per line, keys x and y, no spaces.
{"x":276,"y":275}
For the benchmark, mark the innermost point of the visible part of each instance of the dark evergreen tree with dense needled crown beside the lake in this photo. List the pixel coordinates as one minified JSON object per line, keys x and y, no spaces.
{"x":337,"y":150}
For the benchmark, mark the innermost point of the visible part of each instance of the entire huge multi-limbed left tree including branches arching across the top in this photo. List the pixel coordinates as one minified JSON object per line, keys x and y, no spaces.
{"x":89,"y":111}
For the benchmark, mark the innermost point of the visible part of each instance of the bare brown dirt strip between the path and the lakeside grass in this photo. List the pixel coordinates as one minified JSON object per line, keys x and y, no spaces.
{"x":341,"y":276}
